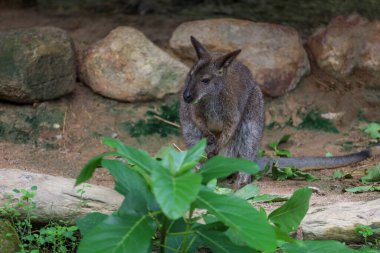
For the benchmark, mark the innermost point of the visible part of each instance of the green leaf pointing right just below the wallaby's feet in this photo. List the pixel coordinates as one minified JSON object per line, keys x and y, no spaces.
{"x":220,"y":167}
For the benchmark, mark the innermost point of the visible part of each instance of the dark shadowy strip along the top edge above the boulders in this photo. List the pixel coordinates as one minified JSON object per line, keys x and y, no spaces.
{"x":304,"y":15}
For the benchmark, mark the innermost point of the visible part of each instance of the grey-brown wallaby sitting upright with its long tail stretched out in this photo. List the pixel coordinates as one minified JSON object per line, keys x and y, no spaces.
{"x":221,"y":102}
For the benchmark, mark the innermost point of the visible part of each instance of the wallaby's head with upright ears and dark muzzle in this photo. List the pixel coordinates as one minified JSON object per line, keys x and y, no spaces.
{"x":207,"y":76}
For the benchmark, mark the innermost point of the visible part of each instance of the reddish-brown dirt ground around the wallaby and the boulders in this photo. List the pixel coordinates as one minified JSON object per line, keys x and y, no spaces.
{"x":63,"y":147}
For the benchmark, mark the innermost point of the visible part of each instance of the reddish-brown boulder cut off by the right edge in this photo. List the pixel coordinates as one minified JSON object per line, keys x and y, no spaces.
{"x":347,"y":44}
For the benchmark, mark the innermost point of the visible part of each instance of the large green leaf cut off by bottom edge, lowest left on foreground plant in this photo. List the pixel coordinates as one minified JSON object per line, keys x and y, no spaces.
{"x":119,"y":235}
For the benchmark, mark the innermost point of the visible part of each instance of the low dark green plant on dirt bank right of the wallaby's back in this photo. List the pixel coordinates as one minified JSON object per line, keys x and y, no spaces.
{"x":313,"y":121}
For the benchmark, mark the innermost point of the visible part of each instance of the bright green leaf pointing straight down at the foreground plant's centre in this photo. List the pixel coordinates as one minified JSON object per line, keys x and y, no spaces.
{"x":174,"y":194}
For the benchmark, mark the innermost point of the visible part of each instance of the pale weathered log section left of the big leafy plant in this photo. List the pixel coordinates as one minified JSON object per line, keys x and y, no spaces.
{"x":57,"y":198}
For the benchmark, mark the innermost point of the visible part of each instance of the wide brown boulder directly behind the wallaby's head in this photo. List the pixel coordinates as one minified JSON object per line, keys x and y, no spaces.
{"x":273,"y":53}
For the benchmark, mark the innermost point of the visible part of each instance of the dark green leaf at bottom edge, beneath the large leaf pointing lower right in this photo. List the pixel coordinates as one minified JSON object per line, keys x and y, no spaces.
{"x":218,"y":242}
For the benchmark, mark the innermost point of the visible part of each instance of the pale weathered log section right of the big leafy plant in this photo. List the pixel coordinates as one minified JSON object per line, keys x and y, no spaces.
{"x":338,"y":221}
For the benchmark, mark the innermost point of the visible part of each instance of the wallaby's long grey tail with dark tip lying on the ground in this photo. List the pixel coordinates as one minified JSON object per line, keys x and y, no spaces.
{"x":314,"y":162}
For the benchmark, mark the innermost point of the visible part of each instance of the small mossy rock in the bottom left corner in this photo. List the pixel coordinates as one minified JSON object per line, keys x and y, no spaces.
{"x":9,"y":240}
